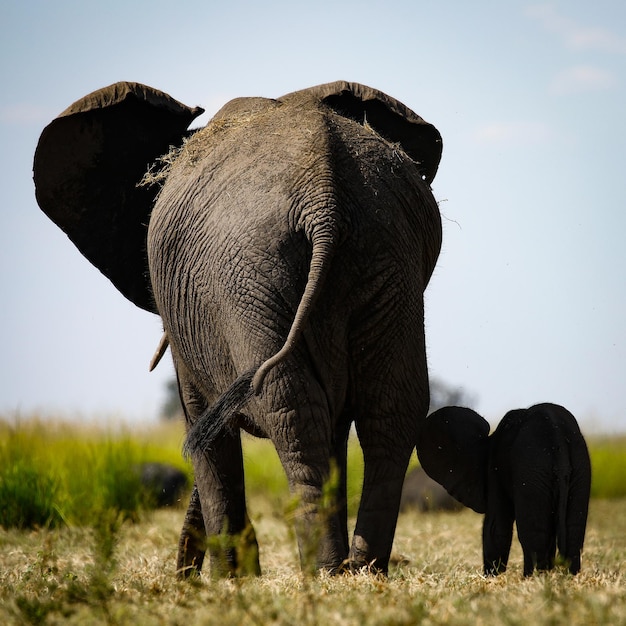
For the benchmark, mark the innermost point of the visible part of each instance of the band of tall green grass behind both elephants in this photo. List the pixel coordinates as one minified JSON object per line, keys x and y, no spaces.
{"x":53,"y":473}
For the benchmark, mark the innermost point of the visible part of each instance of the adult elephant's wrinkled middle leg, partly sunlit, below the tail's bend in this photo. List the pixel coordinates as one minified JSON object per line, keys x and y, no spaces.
{"x":298,"y":420}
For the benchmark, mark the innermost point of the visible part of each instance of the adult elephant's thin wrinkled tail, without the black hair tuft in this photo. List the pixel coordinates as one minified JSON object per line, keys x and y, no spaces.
{"x":323,"y":241}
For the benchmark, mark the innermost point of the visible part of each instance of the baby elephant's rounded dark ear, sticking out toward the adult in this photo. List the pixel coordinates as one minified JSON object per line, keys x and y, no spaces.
{"x":453,"y":449}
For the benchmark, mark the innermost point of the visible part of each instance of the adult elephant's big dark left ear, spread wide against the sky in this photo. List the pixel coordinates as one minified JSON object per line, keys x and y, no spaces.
{"x":87,"y":165}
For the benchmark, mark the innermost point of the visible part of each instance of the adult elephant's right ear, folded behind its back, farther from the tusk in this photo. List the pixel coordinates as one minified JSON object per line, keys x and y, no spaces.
{"x":389,"y":118}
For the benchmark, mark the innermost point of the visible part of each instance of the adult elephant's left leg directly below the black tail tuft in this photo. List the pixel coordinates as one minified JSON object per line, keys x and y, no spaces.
{"x":230,"y":537}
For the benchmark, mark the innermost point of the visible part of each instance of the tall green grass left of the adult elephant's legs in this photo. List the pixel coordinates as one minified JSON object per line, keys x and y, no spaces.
{"x":53,"y":473}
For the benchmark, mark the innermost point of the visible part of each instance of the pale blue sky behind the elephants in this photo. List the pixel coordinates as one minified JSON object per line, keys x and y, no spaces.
{"x":528,"y":301}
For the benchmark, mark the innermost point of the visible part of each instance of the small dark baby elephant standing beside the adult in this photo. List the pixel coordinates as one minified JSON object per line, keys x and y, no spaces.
{"x":534,"y":470}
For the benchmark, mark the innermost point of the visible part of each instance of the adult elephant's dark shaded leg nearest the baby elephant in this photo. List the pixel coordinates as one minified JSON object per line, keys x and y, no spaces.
{"x":390,"y":397}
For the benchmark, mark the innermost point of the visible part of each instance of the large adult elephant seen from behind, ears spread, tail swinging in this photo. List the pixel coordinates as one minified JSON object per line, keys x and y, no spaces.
{"x":287,"y":252}
